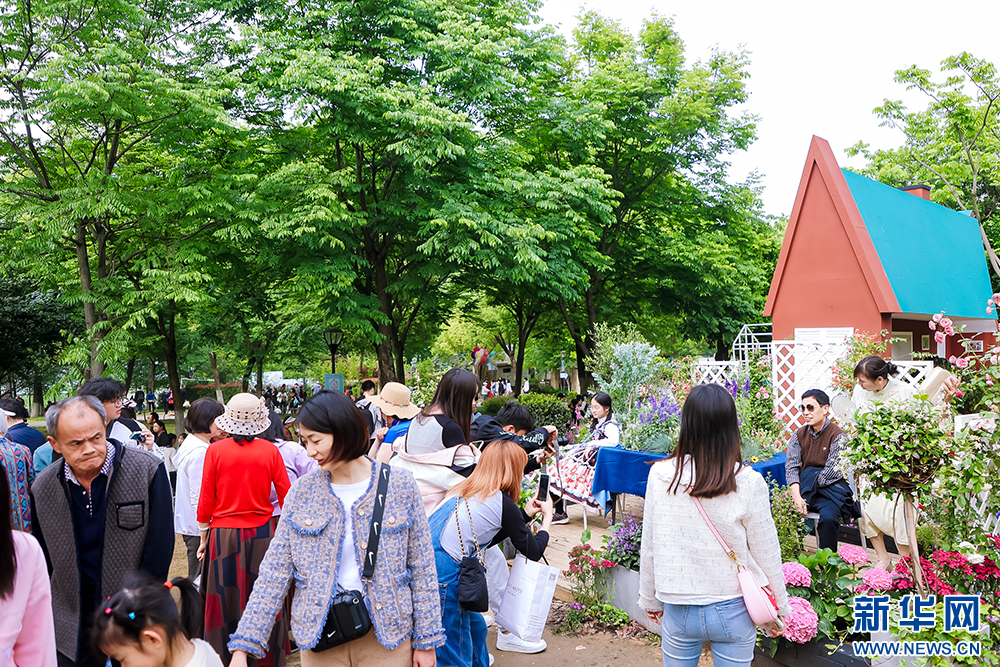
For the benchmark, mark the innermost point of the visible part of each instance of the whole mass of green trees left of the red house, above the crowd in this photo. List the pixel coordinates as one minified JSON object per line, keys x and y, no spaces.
{"x":219,"y":182}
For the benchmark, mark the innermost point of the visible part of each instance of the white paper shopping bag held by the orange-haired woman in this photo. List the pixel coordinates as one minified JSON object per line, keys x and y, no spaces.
{"x":527,"y":598}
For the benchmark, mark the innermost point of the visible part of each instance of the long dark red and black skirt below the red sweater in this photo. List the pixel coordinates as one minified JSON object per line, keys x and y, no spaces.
{"x":232,"y":563}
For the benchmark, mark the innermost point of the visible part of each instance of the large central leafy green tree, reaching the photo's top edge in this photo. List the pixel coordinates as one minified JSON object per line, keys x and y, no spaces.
{"x":390,"y":179}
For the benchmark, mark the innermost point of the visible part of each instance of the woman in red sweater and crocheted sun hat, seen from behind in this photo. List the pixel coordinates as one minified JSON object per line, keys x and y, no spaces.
{"x":234,"y":514}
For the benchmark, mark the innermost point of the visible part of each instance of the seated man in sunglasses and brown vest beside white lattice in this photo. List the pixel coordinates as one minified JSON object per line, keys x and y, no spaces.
{"x":812,"y":469}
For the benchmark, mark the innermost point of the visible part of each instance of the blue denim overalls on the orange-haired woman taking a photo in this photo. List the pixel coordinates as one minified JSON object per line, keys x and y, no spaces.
{"x":465,"y":630}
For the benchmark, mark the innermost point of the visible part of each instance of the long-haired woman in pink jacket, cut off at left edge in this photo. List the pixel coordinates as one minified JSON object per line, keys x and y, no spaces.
{"x":27,"y":635}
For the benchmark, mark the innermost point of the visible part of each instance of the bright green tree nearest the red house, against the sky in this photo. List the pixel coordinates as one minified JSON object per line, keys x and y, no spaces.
{"x":660,"y":130}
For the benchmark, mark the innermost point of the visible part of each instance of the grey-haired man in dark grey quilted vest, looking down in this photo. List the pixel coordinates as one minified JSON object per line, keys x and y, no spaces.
{"x":102,"y":511}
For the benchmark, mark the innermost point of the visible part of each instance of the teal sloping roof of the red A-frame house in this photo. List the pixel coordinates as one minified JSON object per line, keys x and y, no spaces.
{"x":933,"y":256}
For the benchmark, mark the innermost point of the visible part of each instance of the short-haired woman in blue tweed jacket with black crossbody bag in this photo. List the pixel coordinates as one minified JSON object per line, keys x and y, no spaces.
{"x":320,"y":547}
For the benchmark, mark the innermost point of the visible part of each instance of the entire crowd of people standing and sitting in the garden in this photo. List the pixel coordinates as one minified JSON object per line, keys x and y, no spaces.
{"x":368,"y":514}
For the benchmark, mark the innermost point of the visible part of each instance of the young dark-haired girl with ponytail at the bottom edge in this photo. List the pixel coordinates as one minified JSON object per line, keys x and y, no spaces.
{"x":140,"y":626}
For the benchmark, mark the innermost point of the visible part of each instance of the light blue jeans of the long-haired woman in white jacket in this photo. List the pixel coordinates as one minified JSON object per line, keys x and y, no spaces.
{"x":726,"y":625}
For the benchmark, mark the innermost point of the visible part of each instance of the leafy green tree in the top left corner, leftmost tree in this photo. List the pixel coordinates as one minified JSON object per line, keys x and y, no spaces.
{"x":95,"y":100}
